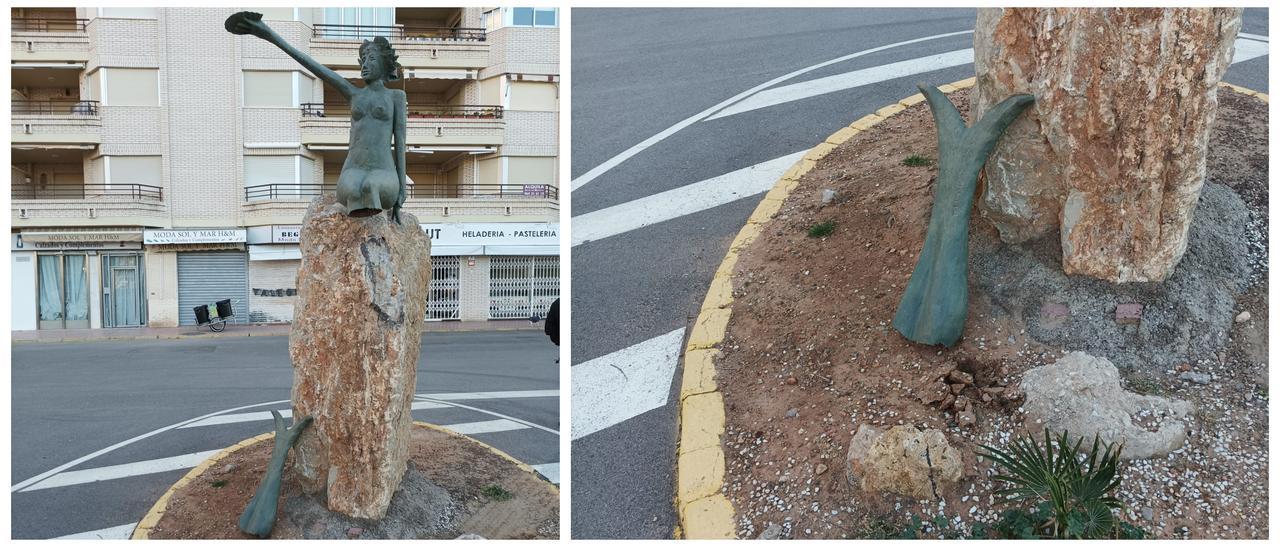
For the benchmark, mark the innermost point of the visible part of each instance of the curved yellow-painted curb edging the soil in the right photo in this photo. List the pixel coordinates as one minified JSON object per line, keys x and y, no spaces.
{"x":705,"y":512}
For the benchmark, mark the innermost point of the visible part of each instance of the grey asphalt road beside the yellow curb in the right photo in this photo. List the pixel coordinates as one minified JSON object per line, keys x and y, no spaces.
{"x":639,"y":72}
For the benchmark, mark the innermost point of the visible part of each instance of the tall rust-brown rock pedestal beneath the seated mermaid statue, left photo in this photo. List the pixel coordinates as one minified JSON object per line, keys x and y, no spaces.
{"x":358,"y":326}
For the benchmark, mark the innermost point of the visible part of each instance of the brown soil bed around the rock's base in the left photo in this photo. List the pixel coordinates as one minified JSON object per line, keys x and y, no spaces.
{"x":441,"y":497}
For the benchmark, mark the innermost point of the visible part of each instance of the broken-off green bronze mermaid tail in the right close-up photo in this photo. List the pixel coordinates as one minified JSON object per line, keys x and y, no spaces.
{"x":936,"y":302}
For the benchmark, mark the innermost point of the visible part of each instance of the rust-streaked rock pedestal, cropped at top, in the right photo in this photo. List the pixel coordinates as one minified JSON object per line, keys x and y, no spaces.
{"x":1113,"y":153}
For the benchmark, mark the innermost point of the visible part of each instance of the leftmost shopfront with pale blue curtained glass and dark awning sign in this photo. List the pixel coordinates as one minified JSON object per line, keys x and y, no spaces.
{"x":77,"y":280}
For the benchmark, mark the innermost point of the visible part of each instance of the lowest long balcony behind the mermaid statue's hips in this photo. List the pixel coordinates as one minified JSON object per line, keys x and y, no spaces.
{"x":287,"y":203}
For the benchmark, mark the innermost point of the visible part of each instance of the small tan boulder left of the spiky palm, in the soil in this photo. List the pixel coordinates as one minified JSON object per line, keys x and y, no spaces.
{"x":903,"y":460}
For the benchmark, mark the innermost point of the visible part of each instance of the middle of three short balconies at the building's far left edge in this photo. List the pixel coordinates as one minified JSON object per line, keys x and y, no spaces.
{"x":57,"y":124}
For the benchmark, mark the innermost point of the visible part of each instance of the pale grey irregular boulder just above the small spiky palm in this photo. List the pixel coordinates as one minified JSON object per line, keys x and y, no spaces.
{"x":1082,"y":395}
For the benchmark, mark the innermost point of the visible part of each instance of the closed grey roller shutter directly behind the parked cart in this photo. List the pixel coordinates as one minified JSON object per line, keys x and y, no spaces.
{"x":205,"y":278}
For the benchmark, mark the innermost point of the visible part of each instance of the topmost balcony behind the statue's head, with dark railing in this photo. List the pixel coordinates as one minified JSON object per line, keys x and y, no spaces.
{"x":418,"y":47}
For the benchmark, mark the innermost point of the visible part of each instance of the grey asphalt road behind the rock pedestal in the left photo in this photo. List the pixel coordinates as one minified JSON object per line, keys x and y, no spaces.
{"x":71,"y":400}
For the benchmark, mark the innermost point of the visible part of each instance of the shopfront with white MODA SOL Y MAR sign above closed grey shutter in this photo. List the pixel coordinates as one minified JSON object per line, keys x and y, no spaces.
{"x":209,"y":266}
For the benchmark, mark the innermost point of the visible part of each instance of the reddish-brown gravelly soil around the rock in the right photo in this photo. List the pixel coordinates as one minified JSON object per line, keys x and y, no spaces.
{"x":811,"y":353}
